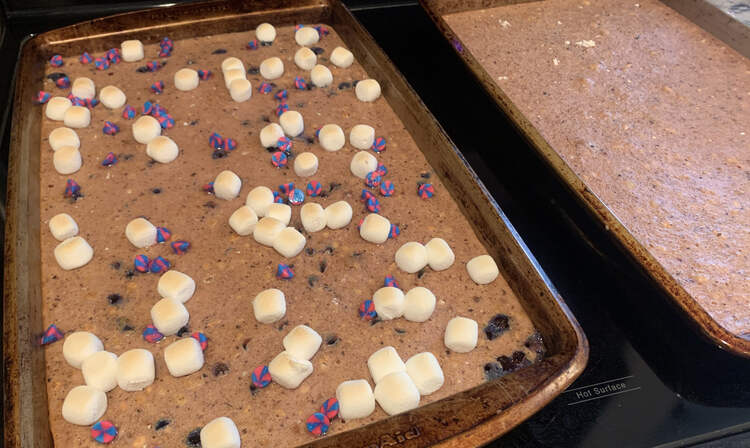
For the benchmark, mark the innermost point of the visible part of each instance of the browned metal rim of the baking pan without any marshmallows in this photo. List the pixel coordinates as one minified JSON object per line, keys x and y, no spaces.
{"x":700,"y":12}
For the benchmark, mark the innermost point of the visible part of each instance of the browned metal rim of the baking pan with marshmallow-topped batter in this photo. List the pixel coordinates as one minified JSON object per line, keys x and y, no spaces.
{"x":471,"y":417}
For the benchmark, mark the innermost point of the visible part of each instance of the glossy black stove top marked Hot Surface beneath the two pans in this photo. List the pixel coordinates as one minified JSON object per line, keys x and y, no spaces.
{"x":652,"y":379}
